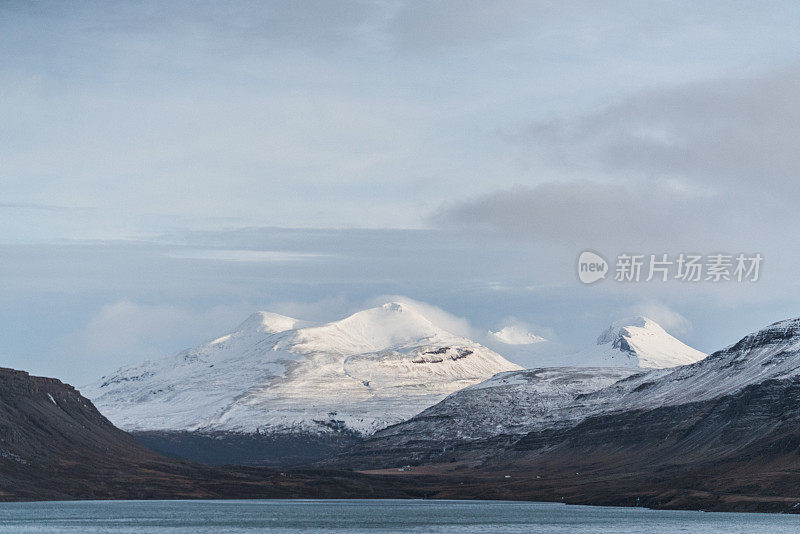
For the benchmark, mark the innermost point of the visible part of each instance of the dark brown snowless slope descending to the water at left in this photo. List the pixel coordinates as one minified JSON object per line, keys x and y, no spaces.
{"x":54,"y":445}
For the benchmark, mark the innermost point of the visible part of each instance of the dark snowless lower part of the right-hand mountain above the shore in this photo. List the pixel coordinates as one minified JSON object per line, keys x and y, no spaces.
{"x":738,"y":453}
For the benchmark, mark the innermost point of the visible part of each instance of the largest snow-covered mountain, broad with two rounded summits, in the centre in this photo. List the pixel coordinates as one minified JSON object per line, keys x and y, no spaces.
{"x":276,"y":374}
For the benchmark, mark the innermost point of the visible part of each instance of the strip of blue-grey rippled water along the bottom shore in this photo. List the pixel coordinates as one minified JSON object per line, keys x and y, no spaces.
{"x":361,"y":516}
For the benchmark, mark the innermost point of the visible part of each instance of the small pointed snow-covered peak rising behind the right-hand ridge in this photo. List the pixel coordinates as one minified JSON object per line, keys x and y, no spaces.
{"x":637,"y":342}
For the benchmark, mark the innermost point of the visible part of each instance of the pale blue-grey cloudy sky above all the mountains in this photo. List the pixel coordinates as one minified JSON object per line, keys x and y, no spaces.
{"x":167,"y":168}
